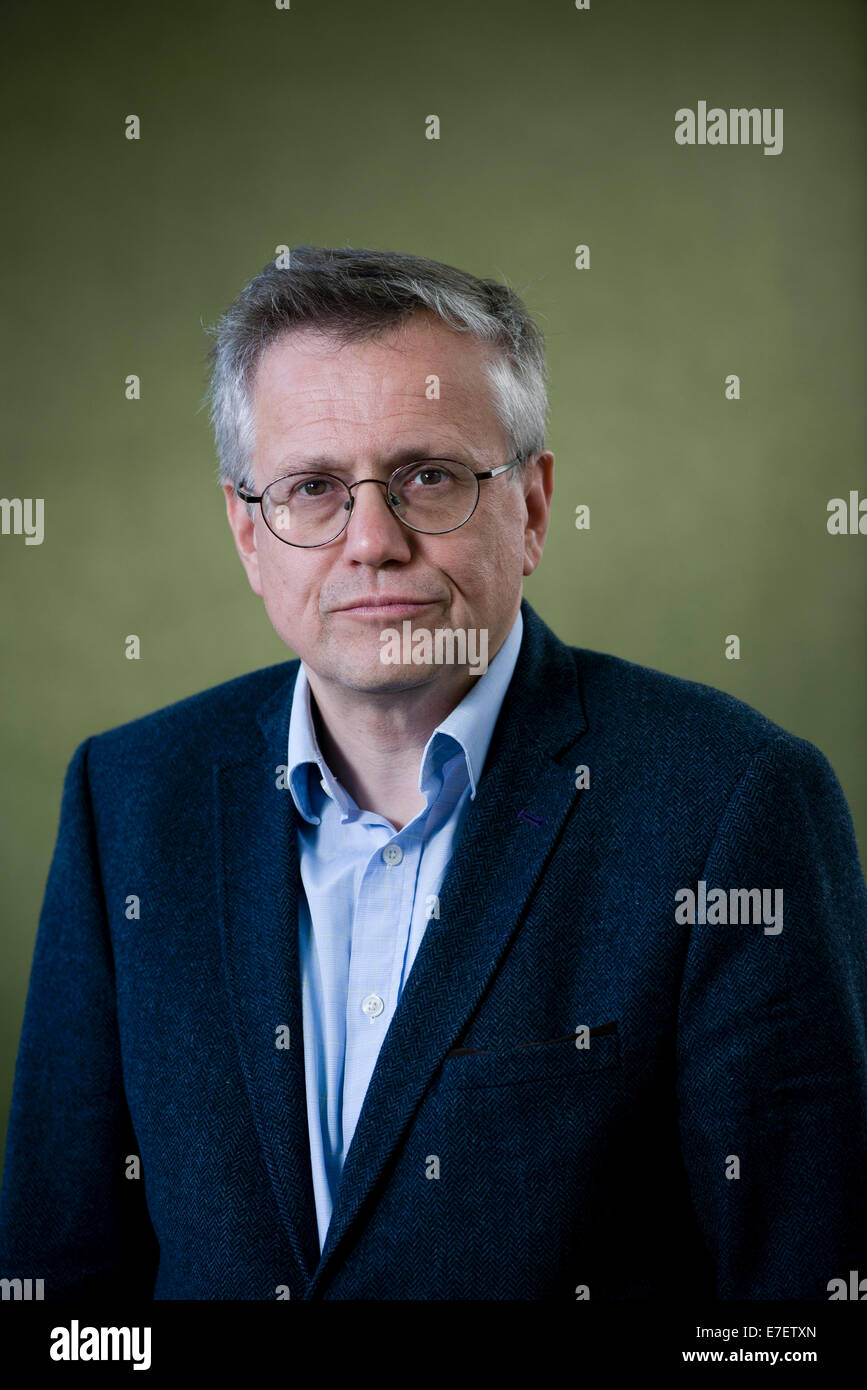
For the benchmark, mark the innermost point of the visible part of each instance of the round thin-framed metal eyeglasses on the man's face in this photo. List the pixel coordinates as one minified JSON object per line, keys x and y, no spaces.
{"x":429,"y":496}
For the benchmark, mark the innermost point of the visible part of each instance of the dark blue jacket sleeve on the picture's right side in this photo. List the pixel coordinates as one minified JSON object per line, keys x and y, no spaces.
{"x":772,"y":1039}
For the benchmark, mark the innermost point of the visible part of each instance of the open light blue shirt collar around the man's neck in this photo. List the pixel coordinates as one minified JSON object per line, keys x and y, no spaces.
{"x":466,"y":732}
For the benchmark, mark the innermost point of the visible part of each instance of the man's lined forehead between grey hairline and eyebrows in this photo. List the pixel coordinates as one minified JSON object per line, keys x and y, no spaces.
{"x":419,"y":373}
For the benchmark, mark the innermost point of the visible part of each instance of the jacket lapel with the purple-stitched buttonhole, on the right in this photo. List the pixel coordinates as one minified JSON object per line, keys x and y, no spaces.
{"x":493,"y":874}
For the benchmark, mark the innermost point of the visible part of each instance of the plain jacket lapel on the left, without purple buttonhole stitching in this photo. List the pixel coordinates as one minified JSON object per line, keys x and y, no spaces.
{"x":258,"y":869}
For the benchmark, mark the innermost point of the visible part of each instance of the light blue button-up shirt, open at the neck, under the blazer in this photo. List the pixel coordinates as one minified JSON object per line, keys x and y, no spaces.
{"x":369,"y":894}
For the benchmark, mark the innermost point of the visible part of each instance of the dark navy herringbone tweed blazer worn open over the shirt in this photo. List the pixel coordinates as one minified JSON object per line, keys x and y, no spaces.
{"x":708,"y":1142}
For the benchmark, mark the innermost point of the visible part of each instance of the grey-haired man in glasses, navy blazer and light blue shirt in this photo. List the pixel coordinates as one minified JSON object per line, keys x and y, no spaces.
{"x":411,"y":971}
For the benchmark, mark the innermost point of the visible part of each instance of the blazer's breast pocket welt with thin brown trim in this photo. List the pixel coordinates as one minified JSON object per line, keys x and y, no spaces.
{"x":533,"y":1061}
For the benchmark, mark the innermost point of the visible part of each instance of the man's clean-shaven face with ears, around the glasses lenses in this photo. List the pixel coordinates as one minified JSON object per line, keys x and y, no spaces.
{"x":366,"y":409}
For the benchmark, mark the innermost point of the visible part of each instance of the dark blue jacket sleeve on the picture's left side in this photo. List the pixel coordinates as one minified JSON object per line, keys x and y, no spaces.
{"x":69,"y":1214}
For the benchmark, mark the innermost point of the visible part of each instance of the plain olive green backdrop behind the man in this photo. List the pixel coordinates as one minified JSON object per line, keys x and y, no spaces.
{"x":265,"y":127}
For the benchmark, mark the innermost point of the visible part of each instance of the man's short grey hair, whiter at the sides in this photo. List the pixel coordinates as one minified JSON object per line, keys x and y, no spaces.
{"x":355,"y":295}
